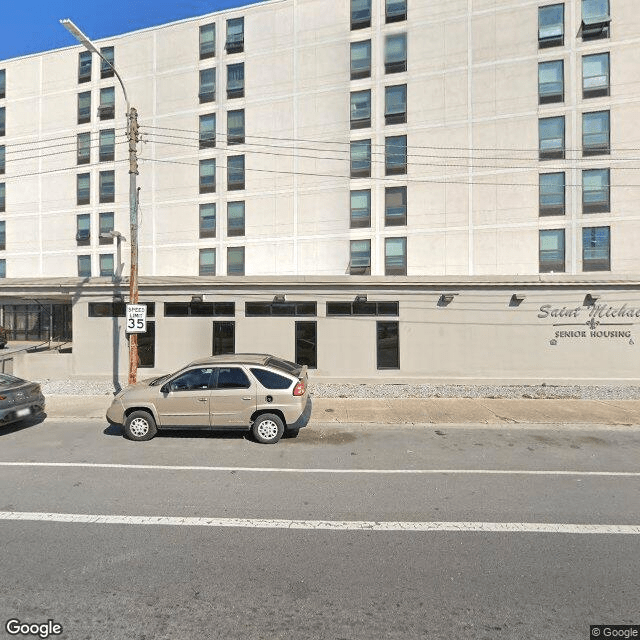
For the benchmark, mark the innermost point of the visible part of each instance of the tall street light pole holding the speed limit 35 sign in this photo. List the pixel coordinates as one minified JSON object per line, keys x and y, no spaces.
{"x":132,"y":135}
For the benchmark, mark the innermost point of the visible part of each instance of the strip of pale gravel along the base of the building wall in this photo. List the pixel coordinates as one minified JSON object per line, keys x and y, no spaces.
{"x":323,"y":390}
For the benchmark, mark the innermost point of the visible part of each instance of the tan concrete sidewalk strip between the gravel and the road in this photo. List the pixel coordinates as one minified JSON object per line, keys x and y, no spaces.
{"x":417,"y":410}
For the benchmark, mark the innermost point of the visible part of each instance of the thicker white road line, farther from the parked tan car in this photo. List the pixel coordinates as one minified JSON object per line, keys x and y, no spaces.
{"x":324,"y":525}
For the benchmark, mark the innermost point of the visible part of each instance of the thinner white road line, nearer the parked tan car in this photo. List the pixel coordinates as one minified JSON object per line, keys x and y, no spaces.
{"x":523,"y":472}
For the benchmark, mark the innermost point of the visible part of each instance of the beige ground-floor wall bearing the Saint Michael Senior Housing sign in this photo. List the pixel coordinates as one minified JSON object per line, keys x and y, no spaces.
{"x":478,"y":336}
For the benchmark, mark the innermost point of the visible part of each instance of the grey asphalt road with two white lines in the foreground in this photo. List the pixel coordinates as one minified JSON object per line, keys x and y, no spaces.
{"x":219,"y":537}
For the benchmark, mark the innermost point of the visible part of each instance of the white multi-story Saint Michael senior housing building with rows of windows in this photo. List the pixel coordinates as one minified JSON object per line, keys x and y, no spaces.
{"x":462,"y":165}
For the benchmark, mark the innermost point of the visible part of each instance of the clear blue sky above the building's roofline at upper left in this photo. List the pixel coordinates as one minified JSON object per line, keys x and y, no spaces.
{"x":32,"y":26}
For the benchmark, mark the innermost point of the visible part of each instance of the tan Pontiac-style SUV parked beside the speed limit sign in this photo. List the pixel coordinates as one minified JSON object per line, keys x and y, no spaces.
{"x":260,"y":392}
